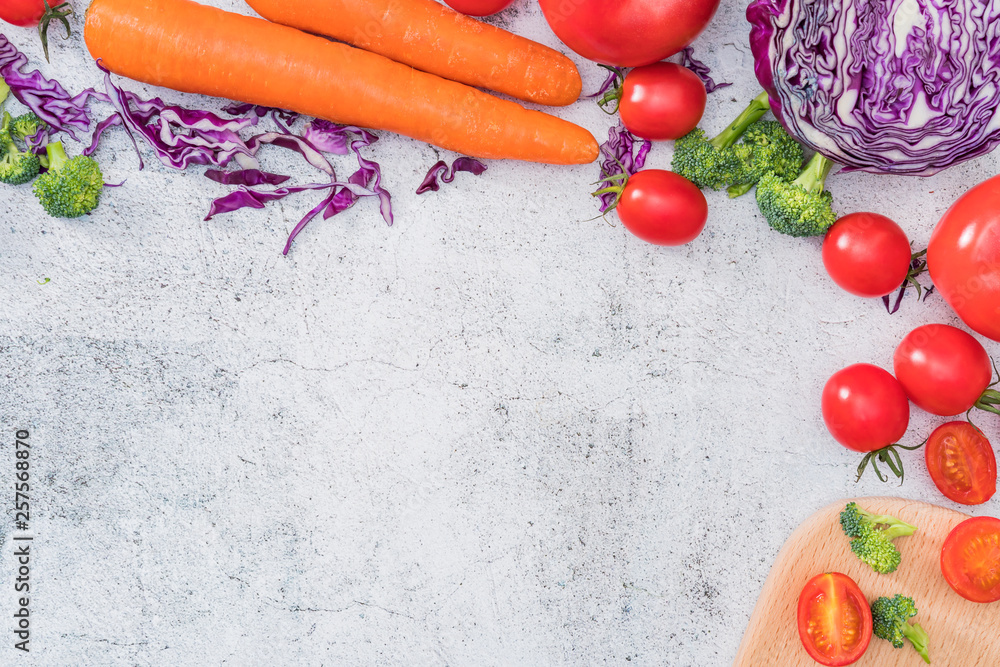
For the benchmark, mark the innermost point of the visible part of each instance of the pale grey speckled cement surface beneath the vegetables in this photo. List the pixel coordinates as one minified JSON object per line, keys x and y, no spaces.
{"x":500,"y":432}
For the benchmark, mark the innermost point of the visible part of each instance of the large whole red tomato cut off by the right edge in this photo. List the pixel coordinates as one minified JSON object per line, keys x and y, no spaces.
{"x":963,"y":258}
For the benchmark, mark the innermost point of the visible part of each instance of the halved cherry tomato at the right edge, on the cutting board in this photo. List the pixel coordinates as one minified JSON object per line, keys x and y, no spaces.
{"x":970,"y":559}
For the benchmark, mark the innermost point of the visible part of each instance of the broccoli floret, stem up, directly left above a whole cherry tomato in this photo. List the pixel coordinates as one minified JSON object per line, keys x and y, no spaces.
{"x":800,"y":207}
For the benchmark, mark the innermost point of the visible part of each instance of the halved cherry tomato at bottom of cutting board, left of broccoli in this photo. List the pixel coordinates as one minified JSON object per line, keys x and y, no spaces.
{"x":834,"y":619}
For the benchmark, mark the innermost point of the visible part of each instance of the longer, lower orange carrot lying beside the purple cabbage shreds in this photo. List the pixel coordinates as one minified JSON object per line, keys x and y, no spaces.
{"x":188,"y":47}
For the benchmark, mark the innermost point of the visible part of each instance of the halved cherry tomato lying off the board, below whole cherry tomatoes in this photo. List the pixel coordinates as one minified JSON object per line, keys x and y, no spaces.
{"x":961,"y":462}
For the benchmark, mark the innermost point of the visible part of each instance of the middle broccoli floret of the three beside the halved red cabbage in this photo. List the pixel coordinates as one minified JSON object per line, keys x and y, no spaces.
{"x":765,"y":147}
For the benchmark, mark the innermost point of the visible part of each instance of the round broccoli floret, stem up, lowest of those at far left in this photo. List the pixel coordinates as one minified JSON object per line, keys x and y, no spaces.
{"x":72,"y":186}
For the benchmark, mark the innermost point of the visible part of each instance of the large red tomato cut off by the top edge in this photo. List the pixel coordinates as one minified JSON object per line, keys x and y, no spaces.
{"x":628,"y":33}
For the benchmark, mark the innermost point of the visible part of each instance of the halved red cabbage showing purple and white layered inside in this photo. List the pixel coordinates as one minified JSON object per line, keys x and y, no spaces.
{"x":898,"y":86}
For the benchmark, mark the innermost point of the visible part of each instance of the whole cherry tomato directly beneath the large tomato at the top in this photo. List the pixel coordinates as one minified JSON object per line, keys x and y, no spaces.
{"x":662,"y":101}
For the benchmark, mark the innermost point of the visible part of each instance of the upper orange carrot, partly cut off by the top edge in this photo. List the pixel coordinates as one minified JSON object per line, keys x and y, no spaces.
{"x":434,"y":38}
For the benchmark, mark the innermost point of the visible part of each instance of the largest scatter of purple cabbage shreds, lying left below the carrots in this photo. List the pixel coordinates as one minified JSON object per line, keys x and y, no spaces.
{"x":182,"y":137}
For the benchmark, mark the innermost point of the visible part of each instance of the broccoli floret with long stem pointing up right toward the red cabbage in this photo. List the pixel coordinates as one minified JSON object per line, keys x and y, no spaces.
{"x":711,"y":163}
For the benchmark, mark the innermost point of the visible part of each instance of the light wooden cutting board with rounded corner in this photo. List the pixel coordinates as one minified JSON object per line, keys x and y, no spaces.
{"x":962,"y":633}
